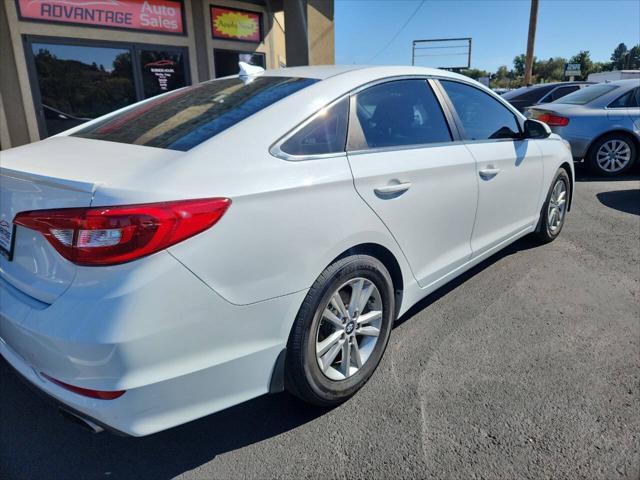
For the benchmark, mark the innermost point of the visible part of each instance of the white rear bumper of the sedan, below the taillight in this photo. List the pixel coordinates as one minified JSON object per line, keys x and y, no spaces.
{"x":178,"y":349}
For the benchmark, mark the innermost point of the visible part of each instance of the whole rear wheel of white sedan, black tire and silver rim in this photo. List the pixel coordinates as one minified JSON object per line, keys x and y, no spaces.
{"x":314,"y":365}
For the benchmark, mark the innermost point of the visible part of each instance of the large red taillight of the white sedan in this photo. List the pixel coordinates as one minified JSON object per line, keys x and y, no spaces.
{"x":111,"y":235}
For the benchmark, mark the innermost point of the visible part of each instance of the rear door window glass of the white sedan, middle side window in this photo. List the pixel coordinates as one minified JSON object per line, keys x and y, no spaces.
{"x":400,"y":113}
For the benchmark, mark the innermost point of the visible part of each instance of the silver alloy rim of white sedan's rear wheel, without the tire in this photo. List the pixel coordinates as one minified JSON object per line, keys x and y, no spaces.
{"x":349,"y":328}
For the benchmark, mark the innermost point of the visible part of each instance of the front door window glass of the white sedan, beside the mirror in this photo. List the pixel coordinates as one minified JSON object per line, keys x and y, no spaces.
{"x":482,"y":117}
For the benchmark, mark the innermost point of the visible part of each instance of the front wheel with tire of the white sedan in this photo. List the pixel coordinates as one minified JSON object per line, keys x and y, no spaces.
{"x":554,"y":209}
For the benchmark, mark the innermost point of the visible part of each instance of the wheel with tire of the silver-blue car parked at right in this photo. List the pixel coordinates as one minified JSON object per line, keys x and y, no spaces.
{"x":611,"y":155}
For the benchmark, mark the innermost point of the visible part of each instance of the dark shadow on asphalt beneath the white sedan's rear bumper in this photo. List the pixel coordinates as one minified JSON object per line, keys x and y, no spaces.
{"x":36,"y":442}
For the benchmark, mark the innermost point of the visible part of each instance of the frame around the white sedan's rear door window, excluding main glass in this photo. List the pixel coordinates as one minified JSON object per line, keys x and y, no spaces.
{"x":355,"y":136}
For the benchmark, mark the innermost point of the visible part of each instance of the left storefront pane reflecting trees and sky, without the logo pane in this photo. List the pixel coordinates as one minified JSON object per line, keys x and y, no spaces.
{"x":78,"y":83}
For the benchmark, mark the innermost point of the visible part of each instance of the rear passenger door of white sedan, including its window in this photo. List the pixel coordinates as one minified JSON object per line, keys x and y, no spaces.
{"x":413,"y":172}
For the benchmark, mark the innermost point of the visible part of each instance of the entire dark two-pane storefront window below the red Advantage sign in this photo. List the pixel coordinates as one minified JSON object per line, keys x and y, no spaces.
{"x":74,"y":82}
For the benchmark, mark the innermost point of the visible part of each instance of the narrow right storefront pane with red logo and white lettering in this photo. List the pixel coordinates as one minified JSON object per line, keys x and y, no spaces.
{"x":162,"y":71}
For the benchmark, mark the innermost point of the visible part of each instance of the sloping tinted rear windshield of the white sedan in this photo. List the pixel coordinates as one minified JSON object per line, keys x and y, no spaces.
{"x":190,"y":116}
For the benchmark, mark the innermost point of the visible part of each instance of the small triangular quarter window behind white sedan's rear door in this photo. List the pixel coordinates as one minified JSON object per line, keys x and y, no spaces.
{"x":325,"y":133}
